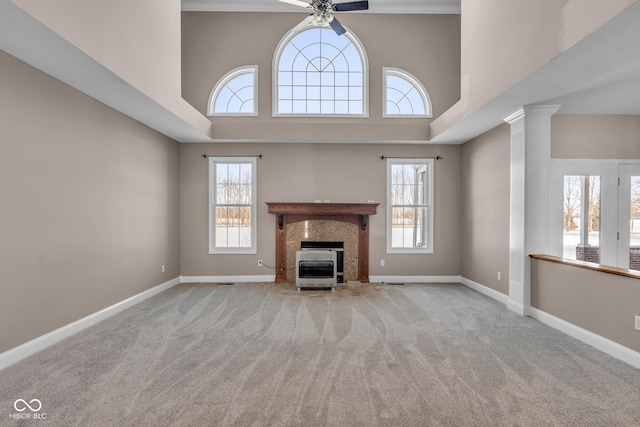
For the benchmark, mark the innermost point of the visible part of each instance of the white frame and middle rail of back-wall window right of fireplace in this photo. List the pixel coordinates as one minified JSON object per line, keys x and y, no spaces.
{"x":428,"y":205}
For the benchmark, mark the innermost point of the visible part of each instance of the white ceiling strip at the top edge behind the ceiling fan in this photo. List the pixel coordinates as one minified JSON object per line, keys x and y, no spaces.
{"x":375,"y":6}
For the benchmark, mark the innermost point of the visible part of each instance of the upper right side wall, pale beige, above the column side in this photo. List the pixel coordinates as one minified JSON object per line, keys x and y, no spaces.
{"x":504,"y":41}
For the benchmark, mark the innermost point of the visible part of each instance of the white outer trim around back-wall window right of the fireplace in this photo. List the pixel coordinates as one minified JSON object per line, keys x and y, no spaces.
{"x":429,"y":203}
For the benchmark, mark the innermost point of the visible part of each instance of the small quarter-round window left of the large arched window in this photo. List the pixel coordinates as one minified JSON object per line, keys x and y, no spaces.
{"x":236,"y":93}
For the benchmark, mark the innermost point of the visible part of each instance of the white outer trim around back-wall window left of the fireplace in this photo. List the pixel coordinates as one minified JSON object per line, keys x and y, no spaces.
{"x":254,"y":201}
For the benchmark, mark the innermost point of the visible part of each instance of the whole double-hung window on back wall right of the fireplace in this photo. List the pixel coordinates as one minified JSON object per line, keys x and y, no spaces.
{"x":410,"y":205}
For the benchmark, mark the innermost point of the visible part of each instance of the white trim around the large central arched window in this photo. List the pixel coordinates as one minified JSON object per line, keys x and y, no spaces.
{"x":365,"y":75}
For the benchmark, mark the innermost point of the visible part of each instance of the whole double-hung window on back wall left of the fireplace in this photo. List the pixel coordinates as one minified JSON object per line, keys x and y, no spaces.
{"x":232,"y":205}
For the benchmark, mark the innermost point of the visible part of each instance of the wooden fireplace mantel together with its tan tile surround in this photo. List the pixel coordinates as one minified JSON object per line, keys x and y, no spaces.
{"x":354,"y":215}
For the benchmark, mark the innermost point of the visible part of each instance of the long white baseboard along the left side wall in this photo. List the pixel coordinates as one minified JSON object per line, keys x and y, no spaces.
{"x":16,"y":354}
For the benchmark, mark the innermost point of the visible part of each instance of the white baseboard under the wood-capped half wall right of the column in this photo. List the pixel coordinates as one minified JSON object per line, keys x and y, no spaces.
{"x":603,"y":344}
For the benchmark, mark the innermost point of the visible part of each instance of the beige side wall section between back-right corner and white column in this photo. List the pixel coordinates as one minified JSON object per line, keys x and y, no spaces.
{"x":485,"y":208}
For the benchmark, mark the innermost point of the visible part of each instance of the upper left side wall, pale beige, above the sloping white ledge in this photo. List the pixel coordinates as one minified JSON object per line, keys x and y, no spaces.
{"x":139,"y":41}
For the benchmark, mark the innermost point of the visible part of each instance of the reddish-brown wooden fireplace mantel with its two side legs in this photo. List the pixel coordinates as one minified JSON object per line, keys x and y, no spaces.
{"x":288,"y":213}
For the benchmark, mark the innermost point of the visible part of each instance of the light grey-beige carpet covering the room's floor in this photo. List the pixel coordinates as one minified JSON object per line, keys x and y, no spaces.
{"x":241,"y":355}
